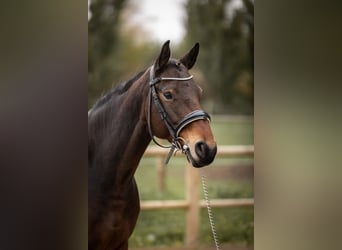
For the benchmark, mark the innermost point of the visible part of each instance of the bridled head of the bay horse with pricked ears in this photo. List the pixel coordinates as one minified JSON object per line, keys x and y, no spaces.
{"x":177,"y":114}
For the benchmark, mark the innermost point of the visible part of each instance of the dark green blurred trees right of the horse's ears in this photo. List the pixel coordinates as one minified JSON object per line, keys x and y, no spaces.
{"x":227,"y":47}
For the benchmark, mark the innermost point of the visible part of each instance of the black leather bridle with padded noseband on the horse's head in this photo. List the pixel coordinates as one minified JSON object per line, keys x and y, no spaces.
{"x":173,"y":130}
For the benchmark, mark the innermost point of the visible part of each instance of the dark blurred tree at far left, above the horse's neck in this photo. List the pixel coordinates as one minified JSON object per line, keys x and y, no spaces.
{"x":103,"y":29}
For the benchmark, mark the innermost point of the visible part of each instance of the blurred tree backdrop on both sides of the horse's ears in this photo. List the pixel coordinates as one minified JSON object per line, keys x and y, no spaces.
{"x":117,"y":49}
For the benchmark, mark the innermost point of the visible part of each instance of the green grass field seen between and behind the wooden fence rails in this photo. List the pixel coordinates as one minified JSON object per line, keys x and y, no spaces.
{"x":234,"y":225}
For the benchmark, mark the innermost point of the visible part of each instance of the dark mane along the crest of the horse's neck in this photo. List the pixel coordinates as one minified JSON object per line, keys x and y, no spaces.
{"x":117,"y":90}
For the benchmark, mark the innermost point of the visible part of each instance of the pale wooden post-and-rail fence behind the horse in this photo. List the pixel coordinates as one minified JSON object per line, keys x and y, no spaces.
{"x":192,"y":202}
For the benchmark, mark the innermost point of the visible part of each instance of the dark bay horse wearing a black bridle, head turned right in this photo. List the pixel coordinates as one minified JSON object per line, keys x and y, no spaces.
{"x":161,"y":101}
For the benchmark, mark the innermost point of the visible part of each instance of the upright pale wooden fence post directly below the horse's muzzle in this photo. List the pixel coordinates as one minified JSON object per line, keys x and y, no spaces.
{"x":193,"y":211}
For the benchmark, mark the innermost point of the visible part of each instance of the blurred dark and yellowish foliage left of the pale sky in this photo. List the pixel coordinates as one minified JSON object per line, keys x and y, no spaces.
{"x":116,"y":49}
